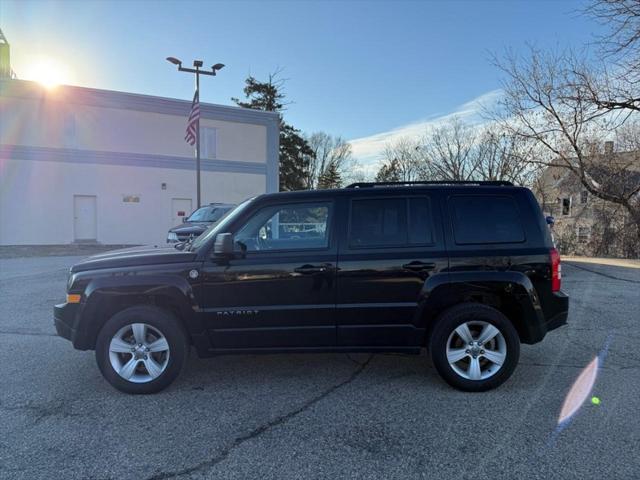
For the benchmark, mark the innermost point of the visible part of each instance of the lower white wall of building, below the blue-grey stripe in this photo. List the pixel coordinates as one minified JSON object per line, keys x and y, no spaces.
{"x":36,"y":199}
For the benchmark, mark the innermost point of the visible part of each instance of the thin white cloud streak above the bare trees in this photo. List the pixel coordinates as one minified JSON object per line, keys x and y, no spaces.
{"x":368,"y":150}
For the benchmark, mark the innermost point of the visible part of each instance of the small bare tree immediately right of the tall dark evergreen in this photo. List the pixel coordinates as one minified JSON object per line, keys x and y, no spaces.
{"x":330,"y":162}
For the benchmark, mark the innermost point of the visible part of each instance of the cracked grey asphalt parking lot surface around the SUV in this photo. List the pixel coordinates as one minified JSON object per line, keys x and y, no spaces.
{"x":319,"y":416}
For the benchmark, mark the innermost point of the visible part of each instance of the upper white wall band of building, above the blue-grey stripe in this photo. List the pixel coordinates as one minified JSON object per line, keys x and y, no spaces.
{"x":42,"y":124}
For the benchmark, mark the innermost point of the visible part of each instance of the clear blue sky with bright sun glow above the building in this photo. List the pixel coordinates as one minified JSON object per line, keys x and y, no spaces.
{"x":368,"y":71}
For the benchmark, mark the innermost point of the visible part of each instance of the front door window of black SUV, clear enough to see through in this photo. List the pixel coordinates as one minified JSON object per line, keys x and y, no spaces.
{"x":299,"y":226}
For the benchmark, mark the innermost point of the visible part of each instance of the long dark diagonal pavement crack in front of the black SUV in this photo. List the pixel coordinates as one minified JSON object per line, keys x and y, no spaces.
{"x":258,"y":431}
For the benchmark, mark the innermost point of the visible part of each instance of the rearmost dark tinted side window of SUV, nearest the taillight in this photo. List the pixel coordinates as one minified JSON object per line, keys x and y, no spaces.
{"x":481,"y":219}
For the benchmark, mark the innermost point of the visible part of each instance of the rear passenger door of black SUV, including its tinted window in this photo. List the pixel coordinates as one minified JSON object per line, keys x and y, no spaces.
{"x":389,"y":247}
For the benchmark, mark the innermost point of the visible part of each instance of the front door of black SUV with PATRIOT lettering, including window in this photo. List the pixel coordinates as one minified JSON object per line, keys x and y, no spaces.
{"x":279,"y":289}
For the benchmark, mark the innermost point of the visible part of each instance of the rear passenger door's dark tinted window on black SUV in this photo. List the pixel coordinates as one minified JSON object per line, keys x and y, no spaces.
{"x":391,"y":222}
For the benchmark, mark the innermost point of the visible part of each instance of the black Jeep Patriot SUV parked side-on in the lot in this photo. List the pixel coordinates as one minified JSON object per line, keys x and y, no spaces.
{"x":467,"y":270}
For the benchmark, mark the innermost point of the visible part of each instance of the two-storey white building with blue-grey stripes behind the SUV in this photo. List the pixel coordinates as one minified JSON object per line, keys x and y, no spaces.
{"x":79,"y":164}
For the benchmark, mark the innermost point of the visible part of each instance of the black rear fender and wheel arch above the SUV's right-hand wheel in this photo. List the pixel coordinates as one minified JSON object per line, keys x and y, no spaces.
{"x":513,"y":292}
